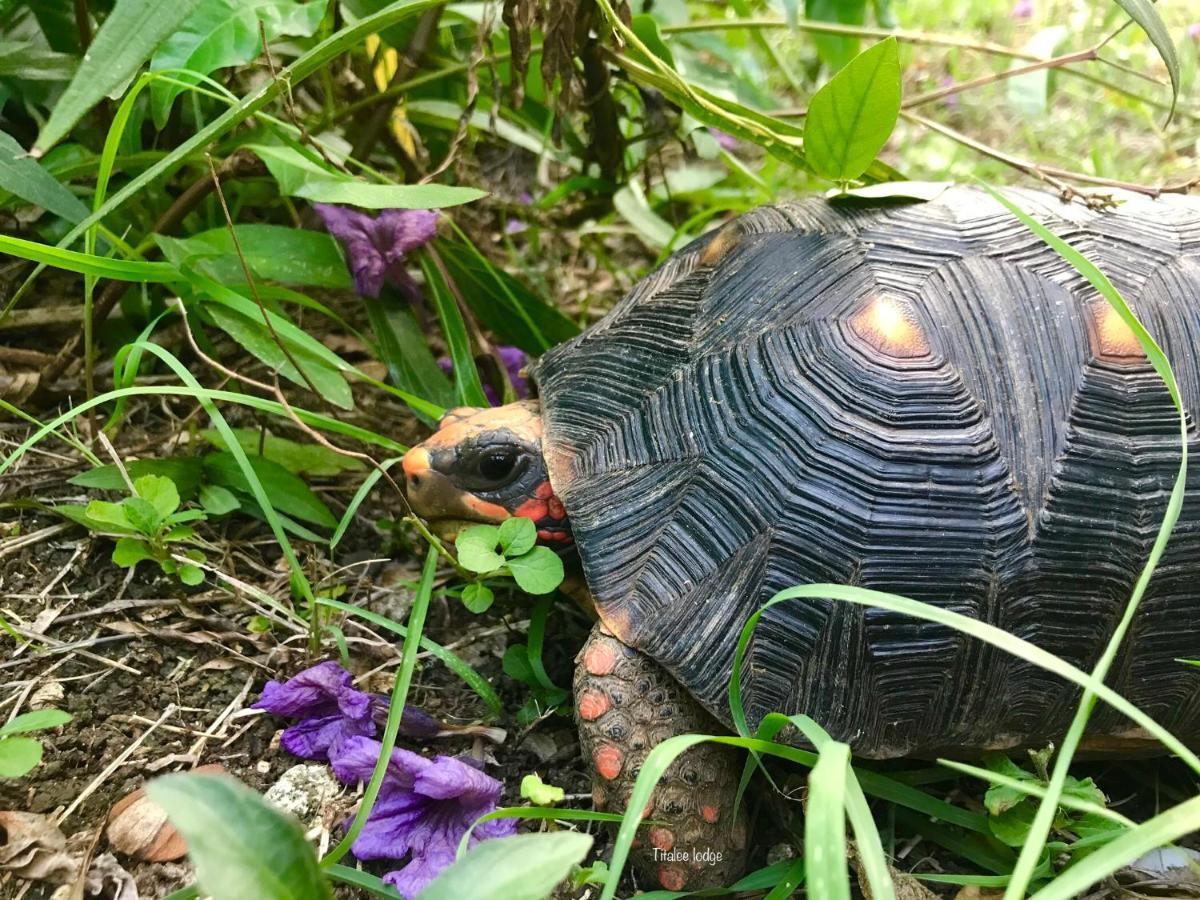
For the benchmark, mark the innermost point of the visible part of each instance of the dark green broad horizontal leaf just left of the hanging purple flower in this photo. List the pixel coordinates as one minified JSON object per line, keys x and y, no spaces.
{"x":289,"y":256}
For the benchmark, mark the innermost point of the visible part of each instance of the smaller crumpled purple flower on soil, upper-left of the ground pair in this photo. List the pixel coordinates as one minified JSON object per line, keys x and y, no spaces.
{"x":329,"y":707}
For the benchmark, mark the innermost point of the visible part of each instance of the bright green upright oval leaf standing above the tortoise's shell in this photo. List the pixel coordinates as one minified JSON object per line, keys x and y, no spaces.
{"x":851,"y":118}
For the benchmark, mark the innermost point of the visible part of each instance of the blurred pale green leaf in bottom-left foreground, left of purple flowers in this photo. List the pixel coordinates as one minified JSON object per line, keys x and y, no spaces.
{"x":239,"y":844}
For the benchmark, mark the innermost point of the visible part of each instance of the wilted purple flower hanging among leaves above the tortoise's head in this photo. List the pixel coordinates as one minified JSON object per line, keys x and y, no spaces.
{"x":376,"y":248}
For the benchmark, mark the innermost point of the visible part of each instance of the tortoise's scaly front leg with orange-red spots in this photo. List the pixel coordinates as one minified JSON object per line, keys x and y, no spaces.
{"x":626,"y":705}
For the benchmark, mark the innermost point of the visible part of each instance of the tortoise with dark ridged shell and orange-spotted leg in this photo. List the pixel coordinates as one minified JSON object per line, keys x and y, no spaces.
{"x":920,"y":399}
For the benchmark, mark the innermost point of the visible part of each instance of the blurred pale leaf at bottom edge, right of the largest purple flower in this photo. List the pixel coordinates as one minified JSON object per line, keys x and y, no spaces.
{"x":526,"y":867}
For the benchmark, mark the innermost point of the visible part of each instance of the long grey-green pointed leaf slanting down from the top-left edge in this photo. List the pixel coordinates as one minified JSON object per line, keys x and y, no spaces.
{"x":127,"y":40}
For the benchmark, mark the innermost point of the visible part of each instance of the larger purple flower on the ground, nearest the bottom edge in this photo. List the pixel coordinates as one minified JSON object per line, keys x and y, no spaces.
{"x":424,"y":809}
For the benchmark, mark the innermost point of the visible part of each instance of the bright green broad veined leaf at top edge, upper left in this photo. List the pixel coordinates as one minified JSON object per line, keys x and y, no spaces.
{"x":221,"y":34}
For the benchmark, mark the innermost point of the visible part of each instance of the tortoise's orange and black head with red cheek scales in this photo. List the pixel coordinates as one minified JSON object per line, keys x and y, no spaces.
{"x":485,"y":466}
